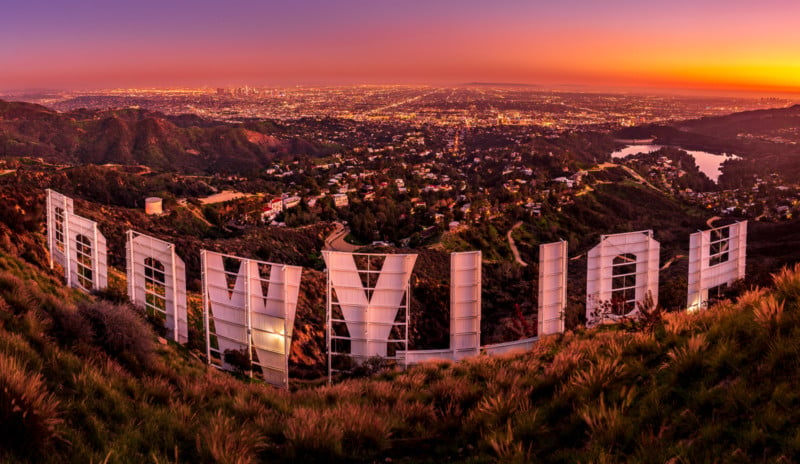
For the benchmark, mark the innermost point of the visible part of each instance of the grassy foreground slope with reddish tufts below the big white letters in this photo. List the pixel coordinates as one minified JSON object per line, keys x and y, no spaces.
{"x":85,"y":380}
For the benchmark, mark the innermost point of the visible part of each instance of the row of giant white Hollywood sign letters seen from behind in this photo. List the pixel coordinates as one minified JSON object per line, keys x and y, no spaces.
{"x":249,"y":306}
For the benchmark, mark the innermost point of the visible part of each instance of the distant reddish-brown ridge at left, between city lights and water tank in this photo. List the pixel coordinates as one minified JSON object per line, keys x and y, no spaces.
{"x":139,"y":137}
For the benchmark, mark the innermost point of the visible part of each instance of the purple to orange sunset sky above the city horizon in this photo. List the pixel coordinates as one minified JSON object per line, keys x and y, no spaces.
{"x":685,"y":44}
